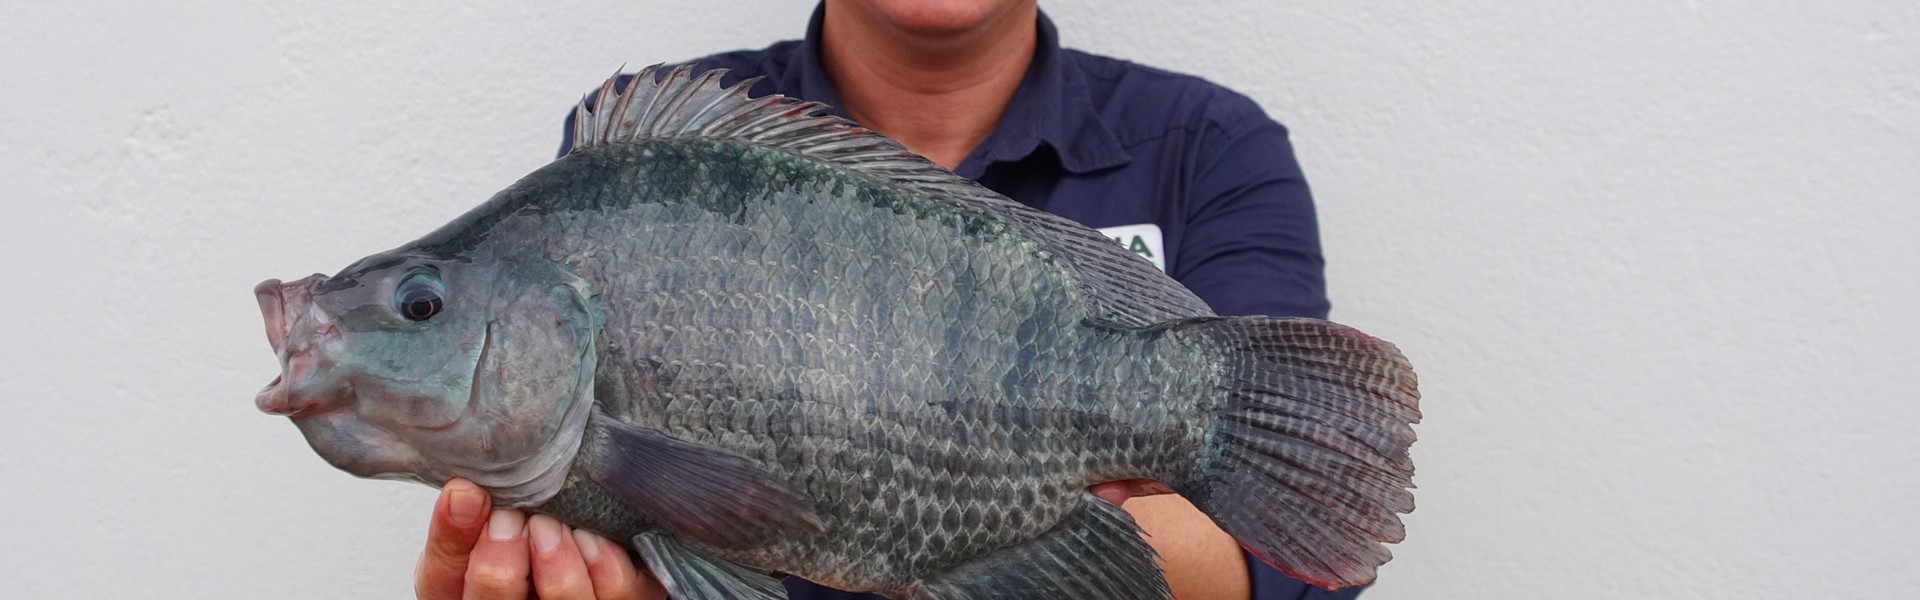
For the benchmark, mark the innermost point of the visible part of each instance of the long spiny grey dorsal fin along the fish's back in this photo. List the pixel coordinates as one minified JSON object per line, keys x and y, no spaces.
{"x":1116,"y":286}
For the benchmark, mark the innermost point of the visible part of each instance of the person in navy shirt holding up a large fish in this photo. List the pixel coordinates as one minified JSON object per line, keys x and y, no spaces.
{"x":1189,"y":176}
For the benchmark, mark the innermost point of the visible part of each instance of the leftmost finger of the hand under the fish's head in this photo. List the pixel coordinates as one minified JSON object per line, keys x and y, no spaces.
{"x":460,"y":518}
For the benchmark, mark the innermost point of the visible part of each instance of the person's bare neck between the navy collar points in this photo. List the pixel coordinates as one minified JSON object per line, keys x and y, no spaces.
{"x":938,"y":95}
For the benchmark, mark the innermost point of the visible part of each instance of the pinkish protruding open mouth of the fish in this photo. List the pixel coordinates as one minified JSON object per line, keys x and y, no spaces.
{"x":299,"y":332}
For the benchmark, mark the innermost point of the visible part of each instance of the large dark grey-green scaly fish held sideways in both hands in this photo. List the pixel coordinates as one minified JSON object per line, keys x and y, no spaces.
{"x":756,"y":341}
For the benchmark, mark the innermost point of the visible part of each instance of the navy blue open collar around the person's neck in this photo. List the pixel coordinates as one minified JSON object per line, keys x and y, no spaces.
{"x":1053,"y":107}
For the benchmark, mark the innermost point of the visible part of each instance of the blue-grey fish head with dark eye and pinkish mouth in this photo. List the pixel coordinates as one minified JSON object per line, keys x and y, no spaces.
{"x":418,"y":368}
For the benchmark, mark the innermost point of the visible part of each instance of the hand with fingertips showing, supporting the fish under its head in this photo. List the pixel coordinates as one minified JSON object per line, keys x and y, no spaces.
{"x":473,"y":555}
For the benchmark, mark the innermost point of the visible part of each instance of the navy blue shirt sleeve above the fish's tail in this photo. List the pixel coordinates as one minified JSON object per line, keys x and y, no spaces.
{"x":1251,"y":245}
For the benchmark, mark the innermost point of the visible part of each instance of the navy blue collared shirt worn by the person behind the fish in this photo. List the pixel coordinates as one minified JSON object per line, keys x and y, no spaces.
{"x":1189,"y":174}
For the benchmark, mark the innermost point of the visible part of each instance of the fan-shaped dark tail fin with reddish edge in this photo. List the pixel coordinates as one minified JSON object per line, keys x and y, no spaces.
{"x":1308,"y":464}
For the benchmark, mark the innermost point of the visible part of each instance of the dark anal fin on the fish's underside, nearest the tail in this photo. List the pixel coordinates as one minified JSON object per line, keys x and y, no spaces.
{"x":1095,"y":555}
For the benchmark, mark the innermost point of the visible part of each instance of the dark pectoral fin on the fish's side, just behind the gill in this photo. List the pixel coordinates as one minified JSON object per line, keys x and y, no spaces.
{"x":696,"y":491}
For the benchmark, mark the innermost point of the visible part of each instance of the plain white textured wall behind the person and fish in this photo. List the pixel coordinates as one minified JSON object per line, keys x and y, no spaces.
{"x":1654,"y":261}
